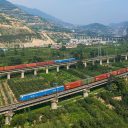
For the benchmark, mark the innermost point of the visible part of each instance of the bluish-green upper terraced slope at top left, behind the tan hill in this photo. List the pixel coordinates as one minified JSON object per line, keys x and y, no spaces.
{"x":13,"y":11}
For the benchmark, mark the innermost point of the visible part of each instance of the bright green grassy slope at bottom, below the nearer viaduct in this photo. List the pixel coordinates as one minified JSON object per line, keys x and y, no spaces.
{"x":84,"y":113}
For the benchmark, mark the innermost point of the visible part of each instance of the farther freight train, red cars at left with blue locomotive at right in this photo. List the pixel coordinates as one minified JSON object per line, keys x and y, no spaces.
{"x":32,"y":65}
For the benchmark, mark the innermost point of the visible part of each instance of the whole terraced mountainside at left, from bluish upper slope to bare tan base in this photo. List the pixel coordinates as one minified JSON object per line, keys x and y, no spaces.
{"x":18,"y":27}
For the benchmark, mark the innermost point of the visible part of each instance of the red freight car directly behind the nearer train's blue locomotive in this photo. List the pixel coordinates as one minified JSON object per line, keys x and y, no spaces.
{"x":73,"y":84}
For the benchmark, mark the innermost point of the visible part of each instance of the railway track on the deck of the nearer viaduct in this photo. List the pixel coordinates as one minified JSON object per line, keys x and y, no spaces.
{"x":22,"y":105}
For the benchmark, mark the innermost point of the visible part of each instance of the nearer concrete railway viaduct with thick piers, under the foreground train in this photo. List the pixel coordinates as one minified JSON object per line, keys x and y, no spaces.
{"x":9,"y":111}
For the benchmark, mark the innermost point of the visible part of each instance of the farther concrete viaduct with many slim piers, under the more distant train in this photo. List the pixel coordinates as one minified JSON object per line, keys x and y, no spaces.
{"x":57,"y":66}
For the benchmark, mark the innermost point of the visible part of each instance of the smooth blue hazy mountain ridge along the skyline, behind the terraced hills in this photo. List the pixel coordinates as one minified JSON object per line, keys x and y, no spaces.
{"x":96,"y":29}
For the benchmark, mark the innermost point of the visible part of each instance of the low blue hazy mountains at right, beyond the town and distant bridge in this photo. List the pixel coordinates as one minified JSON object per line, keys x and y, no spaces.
{"x":96,"y":29}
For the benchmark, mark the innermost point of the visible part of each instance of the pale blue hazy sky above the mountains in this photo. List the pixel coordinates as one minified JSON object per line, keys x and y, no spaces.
{"x":82,"y":11}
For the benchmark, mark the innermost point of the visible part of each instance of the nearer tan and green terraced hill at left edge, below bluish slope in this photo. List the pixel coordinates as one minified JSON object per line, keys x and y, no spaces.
{"x":12,"y":30}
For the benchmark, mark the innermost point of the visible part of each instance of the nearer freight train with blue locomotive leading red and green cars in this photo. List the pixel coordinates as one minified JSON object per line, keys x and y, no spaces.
{"x":71,"y":85}
